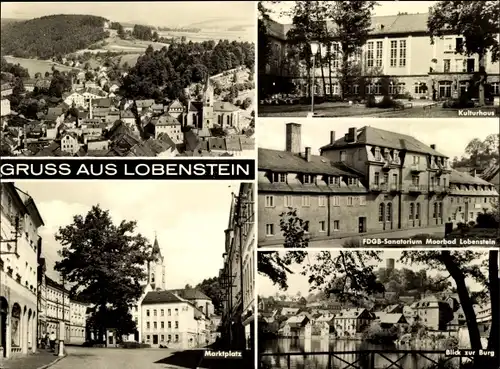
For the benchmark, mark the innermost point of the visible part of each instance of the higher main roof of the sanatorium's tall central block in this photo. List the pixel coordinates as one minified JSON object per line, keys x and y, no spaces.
{"x":379,"y":137}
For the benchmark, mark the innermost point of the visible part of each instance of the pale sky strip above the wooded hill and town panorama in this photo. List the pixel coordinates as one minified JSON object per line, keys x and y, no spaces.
{"x":173,"y":14}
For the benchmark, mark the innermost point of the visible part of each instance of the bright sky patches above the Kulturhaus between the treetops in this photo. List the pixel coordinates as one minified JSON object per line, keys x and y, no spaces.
{"x":383,"y":8}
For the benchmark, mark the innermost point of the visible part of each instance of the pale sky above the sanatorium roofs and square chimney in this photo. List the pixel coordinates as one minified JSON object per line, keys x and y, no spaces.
{"x":450,"y":136}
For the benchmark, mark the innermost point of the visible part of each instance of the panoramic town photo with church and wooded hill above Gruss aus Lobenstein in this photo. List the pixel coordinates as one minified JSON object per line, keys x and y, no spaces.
{"x":165,"y":79}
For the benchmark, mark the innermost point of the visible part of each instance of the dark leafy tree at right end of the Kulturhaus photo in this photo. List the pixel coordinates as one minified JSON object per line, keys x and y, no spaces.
{"x":477,"y":22}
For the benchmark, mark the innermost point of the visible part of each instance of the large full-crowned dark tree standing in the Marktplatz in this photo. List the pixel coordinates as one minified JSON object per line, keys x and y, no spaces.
{"x":103,"y":262}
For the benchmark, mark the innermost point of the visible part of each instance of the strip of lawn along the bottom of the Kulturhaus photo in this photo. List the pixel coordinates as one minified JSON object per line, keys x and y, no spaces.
{"x":340,"y":109}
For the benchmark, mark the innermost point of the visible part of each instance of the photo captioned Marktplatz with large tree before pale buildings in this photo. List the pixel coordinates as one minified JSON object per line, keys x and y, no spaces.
{"x":134,"y":274}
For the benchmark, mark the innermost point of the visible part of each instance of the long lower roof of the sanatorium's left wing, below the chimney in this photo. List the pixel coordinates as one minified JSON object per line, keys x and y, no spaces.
{"x":284,"y":161}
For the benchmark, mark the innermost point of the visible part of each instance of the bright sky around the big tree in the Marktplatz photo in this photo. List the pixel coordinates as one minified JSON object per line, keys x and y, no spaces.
{"x":189,"y":218}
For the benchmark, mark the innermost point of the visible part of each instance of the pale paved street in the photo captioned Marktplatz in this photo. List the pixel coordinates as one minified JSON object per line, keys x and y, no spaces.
{"x":116,"y":358}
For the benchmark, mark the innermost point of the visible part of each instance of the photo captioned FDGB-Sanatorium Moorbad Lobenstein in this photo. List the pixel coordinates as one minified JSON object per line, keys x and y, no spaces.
{"x":351,"y":183}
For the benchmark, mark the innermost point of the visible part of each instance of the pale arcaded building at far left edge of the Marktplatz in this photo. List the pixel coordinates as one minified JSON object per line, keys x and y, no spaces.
{"x":18,"y":271}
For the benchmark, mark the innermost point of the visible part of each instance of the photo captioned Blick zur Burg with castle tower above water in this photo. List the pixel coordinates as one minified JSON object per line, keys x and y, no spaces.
{"x":378,"y":309}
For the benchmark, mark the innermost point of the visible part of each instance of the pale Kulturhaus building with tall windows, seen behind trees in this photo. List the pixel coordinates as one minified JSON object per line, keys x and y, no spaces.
{"x":399,"y":49}
